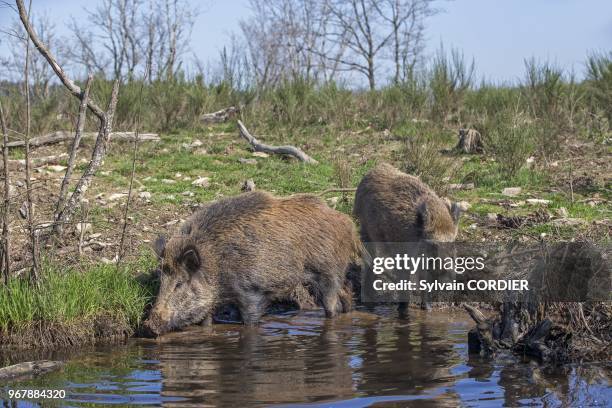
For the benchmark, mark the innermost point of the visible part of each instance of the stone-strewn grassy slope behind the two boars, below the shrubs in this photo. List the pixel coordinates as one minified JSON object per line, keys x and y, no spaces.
{"x":565,"y":198}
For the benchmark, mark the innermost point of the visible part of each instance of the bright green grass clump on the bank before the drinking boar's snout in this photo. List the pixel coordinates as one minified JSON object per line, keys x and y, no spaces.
{"x":70,"y":295}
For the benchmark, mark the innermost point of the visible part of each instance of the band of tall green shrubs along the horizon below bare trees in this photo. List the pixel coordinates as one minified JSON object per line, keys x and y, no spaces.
{"x":445,"y":94}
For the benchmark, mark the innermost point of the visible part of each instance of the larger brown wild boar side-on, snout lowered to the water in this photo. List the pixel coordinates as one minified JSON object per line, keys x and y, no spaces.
{"x":251,"y":250}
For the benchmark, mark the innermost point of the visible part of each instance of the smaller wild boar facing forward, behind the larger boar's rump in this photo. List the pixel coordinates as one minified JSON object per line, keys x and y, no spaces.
{"x":395,"y":207}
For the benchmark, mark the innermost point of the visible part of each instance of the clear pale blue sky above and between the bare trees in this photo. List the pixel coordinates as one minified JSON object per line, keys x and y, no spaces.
{"x":498,"y":34}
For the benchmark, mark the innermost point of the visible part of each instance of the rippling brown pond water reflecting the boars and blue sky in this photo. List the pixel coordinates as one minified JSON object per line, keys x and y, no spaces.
{"x":358,"y":359}
